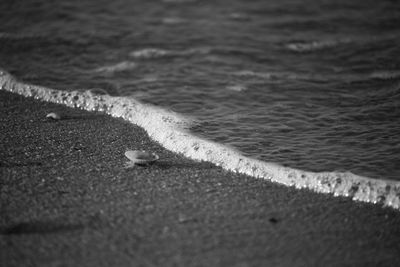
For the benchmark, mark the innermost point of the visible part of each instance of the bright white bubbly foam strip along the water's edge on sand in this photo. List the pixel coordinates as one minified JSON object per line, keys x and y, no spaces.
{"x":170,"y":130}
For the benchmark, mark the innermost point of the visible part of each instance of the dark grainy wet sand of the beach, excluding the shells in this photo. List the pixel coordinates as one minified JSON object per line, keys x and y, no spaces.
{"x":67,"y":200}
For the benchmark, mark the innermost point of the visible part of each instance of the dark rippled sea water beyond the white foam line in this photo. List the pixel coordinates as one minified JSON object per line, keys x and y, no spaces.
{"x":313,"y":85}
